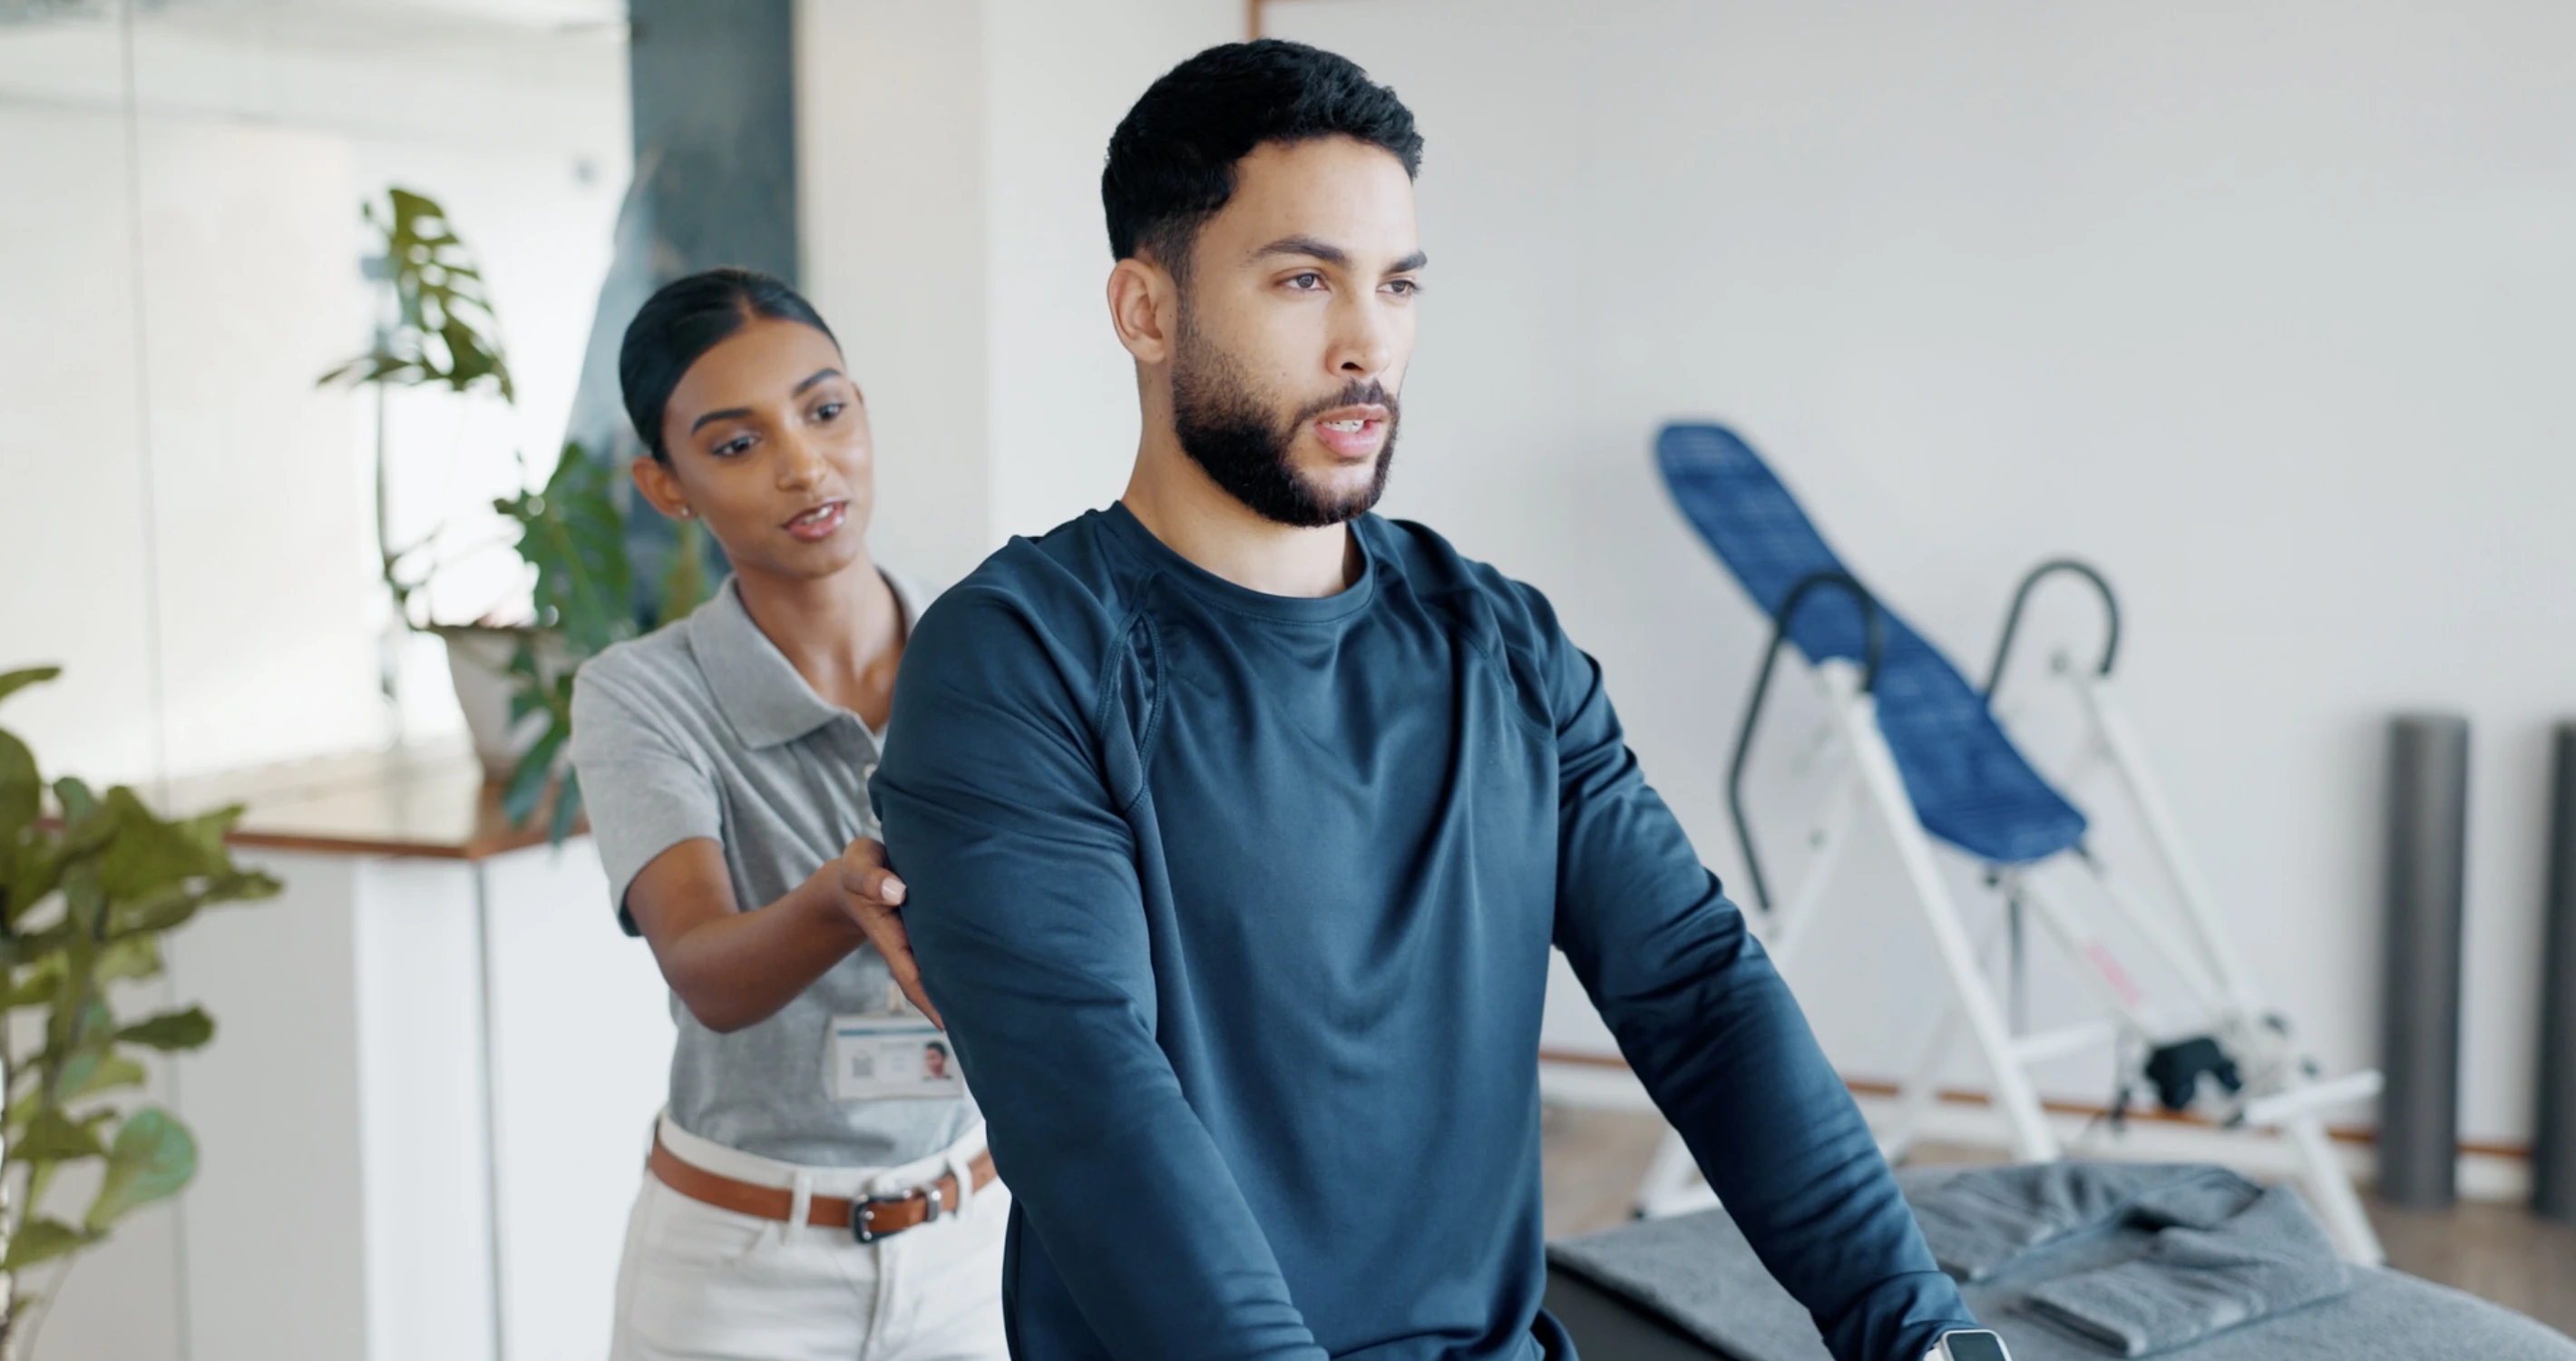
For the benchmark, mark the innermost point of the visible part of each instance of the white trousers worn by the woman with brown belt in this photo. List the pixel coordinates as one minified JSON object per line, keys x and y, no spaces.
{"x":710,"y":1285}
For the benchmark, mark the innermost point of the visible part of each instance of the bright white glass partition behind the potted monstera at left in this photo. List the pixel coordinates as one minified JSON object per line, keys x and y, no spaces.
{"x":225,"y":571}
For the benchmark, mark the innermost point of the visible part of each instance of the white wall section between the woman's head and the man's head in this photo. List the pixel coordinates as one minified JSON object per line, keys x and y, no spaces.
{"x":949,"y":169}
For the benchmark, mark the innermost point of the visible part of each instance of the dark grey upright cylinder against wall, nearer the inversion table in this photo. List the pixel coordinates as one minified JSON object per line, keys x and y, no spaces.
{"x":2428,"y":865}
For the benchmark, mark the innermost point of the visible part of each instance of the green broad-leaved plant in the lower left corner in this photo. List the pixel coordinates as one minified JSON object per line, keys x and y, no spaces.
{"x":86,"y":901}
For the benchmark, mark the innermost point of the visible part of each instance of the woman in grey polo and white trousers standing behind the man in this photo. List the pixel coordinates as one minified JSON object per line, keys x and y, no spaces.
{"x":818,"y":1184}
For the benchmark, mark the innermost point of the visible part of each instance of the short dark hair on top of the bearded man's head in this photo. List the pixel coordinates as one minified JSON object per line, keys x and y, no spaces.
{"x":1173,"y":156}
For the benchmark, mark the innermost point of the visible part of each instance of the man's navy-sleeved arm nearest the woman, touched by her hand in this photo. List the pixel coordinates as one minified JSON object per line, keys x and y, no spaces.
{"x":1029,"y":927}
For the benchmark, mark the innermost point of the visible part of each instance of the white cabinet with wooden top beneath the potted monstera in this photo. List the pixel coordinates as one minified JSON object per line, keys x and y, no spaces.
{"x":424,"y":1115}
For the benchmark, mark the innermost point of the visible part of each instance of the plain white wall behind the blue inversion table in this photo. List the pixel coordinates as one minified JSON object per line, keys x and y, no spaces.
{"x":2263,"y":308}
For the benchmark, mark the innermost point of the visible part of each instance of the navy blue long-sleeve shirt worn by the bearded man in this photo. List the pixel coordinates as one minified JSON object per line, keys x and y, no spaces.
{"x":1240,"y":911}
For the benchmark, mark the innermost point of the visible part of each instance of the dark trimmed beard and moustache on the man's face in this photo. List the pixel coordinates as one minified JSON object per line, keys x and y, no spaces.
{"x":1235,"y":439}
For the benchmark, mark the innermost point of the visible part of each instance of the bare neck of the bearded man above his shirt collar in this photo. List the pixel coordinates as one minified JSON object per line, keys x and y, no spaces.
{"x":1176,"y":501}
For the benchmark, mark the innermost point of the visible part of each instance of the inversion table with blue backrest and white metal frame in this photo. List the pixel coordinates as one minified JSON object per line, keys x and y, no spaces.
{"x":1928,"y":759}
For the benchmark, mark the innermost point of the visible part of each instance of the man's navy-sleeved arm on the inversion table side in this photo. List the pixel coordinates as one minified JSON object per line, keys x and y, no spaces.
{"x":1722,"y":1045}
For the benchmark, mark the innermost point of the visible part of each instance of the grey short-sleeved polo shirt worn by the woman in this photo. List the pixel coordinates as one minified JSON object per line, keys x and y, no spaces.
{"x":705,"y":731}
